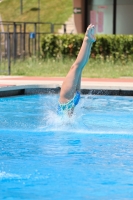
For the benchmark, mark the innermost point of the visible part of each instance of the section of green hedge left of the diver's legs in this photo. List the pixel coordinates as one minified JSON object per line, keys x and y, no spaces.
{"x":61,"y":45}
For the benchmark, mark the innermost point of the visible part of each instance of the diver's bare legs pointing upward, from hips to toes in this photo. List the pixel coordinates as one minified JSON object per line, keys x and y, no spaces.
{"x":73,"y":77}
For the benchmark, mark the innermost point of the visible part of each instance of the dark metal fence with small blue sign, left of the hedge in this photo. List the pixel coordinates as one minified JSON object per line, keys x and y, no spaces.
{"x":19,"y":40}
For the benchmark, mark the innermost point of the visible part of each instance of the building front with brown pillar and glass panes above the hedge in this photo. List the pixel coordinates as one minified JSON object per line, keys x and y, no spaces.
{"x":100,"y":13}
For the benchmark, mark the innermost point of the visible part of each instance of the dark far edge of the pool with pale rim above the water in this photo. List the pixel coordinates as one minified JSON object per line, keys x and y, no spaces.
{"x":55,"y":89}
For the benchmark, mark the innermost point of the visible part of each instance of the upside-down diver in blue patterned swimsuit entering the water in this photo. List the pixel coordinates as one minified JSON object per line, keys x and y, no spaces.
{"x":70,"y":89}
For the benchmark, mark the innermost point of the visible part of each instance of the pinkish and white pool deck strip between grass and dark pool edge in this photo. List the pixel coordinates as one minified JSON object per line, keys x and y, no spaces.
{"x":9,"y":83}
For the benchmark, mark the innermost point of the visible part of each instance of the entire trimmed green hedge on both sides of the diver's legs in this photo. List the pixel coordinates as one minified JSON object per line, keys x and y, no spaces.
{"x":107,"y":47}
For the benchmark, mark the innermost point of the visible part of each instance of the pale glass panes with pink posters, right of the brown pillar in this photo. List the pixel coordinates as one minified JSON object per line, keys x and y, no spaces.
{"x":100,"y":13}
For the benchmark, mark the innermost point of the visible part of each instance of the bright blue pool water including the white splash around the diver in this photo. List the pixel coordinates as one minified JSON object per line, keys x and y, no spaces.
{"x":88,"y":156}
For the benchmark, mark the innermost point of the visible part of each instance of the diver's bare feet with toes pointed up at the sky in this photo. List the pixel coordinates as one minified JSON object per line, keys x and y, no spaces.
{"x":90,"y":33}
